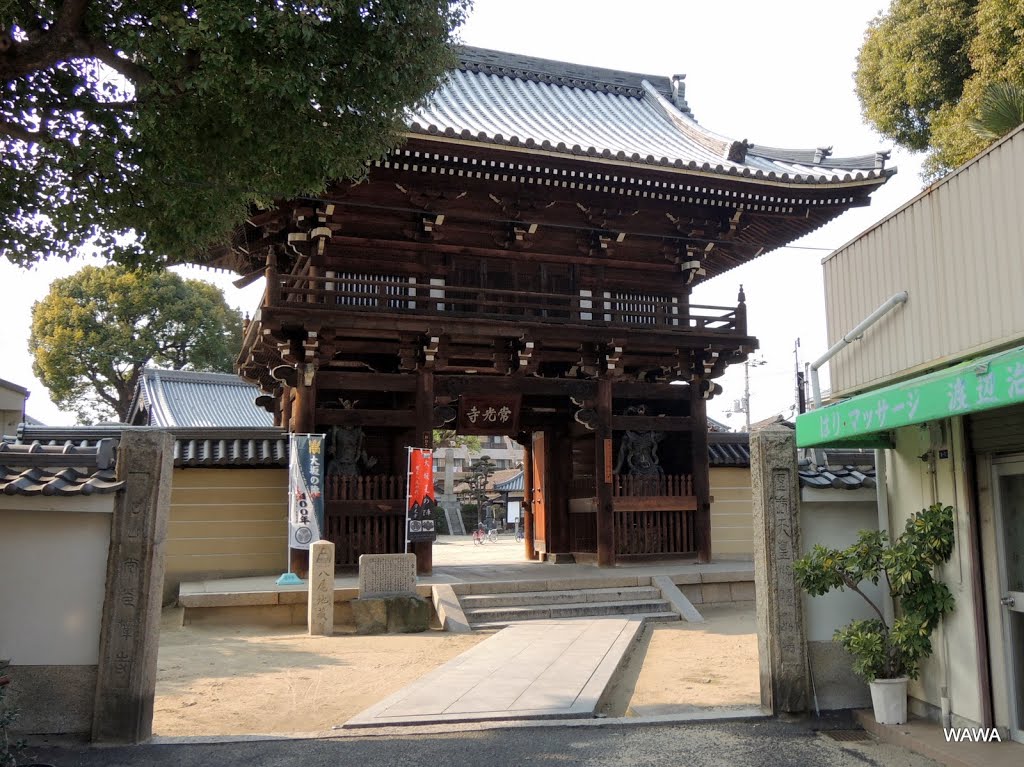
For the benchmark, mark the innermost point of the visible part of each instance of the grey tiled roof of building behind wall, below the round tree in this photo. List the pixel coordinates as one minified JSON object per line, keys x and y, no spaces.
{"x":189,"y":400}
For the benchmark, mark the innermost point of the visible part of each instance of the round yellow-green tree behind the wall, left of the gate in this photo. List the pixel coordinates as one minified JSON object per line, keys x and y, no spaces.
{"x":96,"y":331}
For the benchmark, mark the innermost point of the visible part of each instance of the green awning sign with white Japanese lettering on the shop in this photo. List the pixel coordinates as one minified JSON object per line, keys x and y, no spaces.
{"x":986,"y":383}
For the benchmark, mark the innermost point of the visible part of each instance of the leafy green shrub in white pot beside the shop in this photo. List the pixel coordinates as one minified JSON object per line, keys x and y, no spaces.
{"x":887,"y":656}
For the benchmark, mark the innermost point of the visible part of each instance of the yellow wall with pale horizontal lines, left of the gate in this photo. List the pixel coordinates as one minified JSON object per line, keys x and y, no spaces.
{"x":226,"y":524}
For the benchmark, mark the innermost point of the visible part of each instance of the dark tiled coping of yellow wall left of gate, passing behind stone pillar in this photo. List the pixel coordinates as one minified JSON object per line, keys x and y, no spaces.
{"x":208,"y":448}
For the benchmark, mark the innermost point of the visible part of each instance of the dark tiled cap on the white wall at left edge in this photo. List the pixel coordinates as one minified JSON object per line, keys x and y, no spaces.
{"x":37,"y":470}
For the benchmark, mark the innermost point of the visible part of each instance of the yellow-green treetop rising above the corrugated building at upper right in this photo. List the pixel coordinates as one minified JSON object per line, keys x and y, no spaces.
{"x":926,"y":66}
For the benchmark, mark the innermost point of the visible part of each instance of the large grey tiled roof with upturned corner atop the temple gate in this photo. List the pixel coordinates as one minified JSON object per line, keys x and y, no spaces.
{"x":505,"y":99}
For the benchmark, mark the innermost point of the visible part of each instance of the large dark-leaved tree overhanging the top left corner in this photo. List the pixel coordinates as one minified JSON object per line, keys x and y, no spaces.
{"x":150,"y":130}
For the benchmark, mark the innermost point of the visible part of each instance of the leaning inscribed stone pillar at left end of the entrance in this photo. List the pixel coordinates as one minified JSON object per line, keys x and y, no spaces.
{"x":130,"y":632}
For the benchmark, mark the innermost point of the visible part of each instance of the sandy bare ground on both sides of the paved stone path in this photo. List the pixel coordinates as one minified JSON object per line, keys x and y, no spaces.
{"x":228,"y":681}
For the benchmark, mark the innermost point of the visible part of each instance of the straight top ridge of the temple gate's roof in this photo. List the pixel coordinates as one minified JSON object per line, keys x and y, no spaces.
{"x":518,"y":66}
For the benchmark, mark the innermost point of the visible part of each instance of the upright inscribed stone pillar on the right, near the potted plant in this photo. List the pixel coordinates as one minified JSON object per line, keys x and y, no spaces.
{"x":782,"y":645}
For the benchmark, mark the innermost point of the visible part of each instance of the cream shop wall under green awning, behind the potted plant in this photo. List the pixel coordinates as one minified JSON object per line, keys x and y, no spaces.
{"x":918,"y":478}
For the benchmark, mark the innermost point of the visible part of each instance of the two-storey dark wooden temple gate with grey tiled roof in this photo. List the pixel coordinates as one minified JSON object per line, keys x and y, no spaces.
{"x":523,"y":266}
